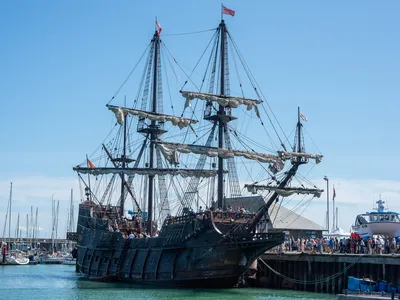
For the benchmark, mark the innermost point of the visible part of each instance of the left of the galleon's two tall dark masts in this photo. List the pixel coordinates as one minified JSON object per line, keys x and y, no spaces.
{"x":153,"y":135}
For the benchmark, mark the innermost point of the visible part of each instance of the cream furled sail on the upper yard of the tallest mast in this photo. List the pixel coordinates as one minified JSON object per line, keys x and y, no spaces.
{"x":222,"y":100}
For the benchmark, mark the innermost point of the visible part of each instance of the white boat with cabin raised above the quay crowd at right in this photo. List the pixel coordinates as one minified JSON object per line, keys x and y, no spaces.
{"x":380,"y":222}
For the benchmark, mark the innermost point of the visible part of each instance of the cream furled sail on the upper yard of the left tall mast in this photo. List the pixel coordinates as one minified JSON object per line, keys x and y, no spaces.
{"x":176,"y":121}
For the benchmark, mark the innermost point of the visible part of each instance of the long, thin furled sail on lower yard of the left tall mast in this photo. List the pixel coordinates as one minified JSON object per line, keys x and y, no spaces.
{"x":147,"y":171}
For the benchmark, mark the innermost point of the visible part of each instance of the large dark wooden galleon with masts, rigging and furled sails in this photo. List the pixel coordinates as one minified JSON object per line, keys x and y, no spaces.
{"x":188,"y":226}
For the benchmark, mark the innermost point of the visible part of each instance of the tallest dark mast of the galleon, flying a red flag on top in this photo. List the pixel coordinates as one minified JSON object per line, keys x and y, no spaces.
{"x":221,"y":112}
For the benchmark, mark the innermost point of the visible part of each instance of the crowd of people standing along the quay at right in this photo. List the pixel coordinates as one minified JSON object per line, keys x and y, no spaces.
{"x":353,"y":244}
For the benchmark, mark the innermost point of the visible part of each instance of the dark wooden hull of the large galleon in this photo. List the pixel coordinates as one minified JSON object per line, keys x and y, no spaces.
{"x":201,"y":261}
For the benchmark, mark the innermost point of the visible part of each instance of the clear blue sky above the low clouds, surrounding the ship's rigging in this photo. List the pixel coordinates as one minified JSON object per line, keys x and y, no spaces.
{"x":61,"y":61}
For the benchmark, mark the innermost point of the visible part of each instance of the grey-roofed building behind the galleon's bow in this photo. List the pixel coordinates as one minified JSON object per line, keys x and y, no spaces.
{"x":282,"y":219}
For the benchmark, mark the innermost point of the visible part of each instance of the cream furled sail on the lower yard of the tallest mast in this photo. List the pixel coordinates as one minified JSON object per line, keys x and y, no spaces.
{"x":169,"y":151}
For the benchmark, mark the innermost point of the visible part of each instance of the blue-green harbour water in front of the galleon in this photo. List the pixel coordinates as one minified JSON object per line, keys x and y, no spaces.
{"x":61,"y":282}
